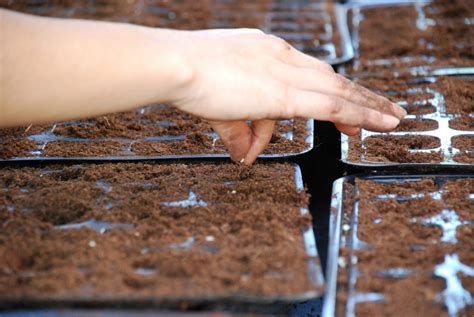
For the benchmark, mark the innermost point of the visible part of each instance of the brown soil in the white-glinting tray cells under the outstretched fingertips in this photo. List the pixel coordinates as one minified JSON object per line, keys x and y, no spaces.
{"x":458,"y":101}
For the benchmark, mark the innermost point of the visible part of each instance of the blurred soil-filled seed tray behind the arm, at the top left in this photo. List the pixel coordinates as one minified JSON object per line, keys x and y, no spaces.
{"x":317,"y":27}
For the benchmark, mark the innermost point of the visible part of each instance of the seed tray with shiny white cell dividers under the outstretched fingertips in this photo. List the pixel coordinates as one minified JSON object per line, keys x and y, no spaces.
{"x":437,"y":132}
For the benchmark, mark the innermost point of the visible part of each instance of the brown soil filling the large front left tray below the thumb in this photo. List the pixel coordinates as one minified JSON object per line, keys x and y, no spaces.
{"x":244,"y":236}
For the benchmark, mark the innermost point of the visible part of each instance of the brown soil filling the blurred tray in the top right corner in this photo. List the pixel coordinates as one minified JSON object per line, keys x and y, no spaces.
{"x":446,"y":43}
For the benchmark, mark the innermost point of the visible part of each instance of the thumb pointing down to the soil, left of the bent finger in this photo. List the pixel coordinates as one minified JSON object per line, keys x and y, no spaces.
{"x":236,"y":135}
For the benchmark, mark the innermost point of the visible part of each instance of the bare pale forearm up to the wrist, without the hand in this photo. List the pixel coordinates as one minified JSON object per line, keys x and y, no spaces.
{"x":56,"y":69}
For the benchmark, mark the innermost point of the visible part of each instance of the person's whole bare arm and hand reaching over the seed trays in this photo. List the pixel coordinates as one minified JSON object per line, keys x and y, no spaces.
{"x":62,"y":69}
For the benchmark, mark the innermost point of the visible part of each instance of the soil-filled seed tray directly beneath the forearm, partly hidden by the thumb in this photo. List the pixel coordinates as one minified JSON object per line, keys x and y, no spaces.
{"x":153,"y":132}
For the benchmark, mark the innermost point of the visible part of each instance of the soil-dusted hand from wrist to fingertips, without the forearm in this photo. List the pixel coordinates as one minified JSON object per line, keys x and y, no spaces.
{"x":245,"y":75}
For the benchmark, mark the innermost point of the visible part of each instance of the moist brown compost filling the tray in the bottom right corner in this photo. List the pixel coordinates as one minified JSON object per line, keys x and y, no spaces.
{"x":398,"y":253}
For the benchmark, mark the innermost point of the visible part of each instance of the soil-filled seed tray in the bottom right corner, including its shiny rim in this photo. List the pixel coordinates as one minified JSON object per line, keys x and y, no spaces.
{"x":401,"y":245}
